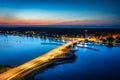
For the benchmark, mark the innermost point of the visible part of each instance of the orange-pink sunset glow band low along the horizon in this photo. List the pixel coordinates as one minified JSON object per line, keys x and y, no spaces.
{"x":53,"y":22}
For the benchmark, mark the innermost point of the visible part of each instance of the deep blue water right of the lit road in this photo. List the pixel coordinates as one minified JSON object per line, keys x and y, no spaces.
{"x":89,"y":65}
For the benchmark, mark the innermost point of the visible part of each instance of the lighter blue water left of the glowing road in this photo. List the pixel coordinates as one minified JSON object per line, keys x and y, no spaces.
{"x":16,"y":50}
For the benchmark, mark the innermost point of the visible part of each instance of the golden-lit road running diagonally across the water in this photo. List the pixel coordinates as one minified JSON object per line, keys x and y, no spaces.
{"x":23,"y":70}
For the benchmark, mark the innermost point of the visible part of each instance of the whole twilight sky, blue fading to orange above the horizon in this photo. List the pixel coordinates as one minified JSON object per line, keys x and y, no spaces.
{"x":59,"y":12}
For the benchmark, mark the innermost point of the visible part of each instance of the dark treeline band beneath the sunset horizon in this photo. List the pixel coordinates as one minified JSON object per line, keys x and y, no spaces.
{"x":60,"y":30}
